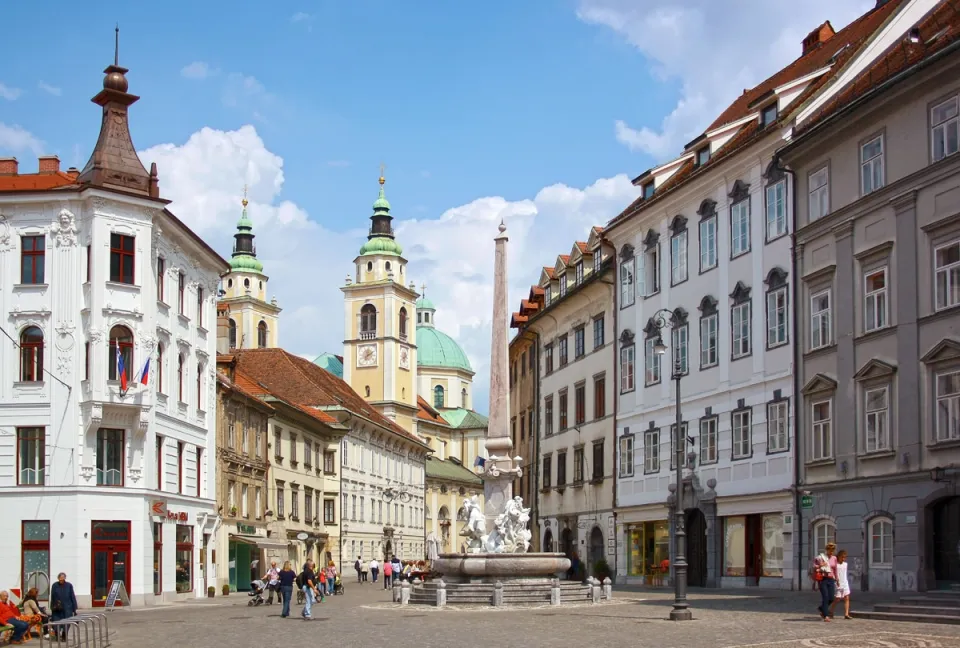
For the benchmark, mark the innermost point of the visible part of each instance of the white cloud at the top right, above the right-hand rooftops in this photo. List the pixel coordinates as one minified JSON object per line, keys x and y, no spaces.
{"x":711,"y":50}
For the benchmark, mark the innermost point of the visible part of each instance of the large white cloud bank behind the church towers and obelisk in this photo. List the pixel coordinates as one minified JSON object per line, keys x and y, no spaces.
{"x":307,"y":263}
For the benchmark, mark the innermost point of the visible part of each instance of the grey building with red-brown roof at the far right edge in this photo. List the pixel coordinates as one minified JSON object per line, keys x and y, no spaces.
{"x":878,"y":314}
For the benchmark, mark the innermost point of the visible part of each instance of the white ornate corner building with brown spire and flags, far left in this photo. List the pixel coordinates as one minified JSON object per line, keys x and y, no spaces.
{"x":105,"y":484}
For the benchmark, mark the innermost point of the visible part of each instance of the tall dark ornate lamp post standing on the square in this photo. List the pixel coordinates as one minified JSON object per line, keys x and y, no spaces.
{"x":662,"y":319}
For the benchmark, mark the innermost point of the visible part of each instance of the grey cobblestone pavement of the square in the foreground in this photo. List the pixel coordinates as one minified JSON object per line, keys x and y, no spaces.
{"x":365,"y":617}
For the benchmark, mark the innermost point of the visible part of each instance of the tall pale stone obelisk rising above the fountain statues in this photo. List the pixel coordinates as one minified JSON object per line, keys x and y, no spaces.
{"x":499,"y":471}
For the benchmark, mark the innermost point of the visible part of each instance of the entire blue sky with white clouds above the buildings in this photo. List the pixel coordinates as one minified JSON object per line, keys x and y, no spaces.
{"x":537,"y":113}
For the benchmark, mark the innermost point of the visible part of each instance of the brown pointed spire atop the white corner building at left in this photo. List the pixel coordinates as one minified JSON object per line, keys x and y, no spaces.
{"x":114,"y":163}
